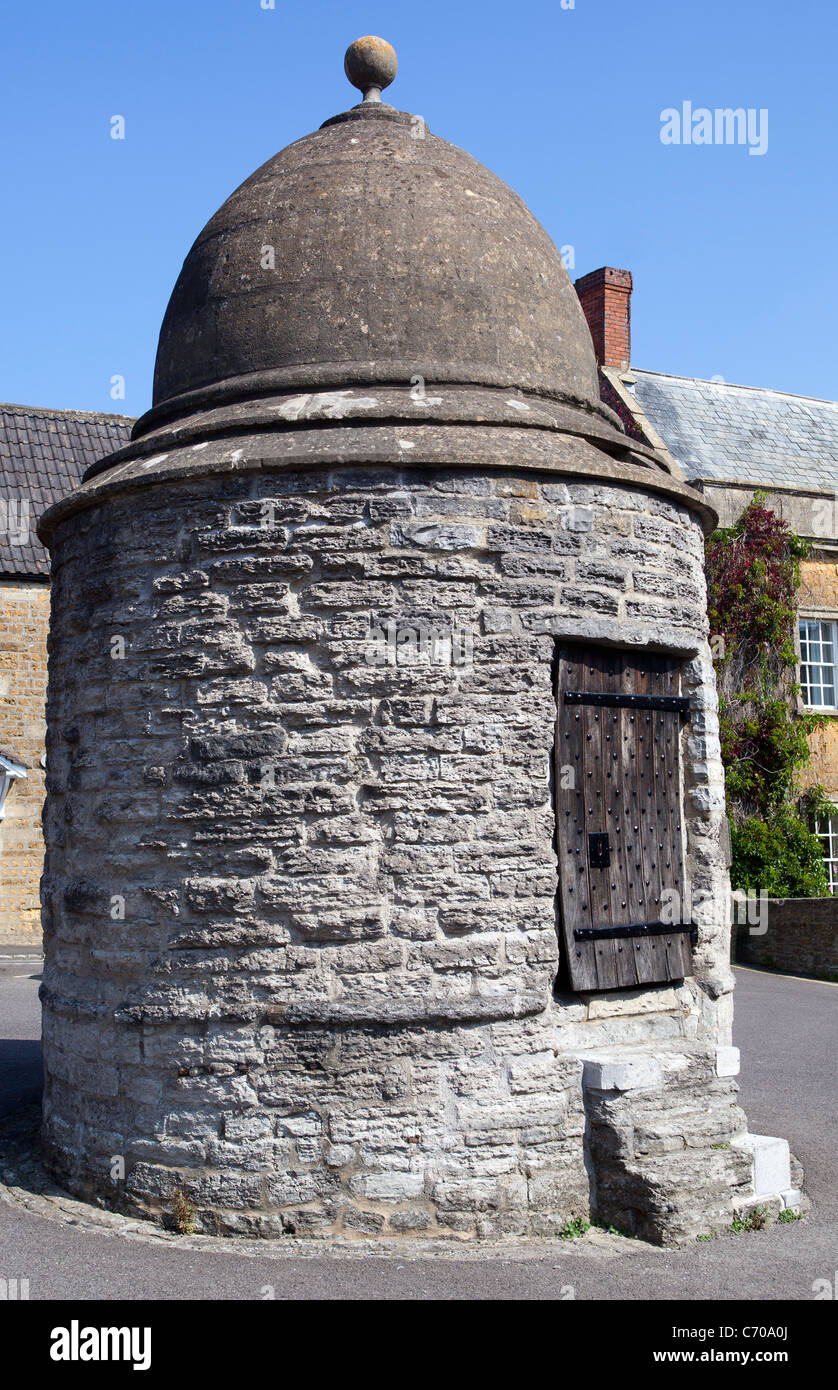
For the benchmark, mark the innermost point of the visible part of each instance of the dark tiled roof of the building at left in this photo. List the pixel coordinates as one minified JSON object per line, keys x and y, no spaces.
{"x":42,"y":458}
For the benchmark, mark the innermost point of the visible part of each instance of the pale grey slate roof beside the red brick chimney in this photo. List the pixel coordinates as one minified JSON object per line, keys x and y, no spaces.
{"x":744,"y":434}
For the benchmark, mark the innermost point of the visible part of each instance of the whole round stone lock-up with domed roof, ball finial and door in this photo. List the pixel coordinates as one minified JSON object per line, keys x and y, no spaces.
{"x":386,"y":886}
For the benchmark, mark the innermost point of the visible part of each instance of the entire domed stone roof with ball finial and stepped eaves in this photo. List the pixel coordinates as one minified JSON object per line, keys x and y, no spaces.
{"x":376,"y":297}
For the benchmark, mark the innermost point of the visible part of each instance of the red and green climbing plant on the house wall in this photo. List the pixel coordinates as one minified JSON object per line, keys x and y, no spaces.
{"x":754,"y":573}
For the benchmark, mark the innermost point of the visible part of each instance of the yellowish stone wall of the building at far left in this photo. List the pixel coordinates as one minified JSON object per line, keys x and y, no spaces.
{"x":24,"y":622}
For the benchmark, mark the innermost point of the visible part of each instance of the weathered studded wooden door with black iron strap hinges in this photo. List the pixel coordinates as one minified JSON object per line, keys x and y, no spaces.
{"x":619,"y":818}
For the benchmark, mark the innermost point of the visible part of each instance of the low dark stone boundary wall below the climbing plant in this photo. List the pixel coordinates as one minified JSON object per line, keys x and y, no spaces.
{"x":801,"y":936}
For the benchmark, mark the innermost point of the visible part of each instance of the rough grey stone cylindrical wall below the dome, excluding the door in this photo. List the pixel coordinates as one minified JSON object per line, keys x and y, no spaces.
{"x":301,"y":893}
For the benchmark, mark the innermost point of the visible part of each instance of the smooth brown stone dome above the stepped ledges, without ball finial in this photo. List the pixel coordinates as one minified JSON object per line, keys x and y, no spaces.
{"x":373,"y":252}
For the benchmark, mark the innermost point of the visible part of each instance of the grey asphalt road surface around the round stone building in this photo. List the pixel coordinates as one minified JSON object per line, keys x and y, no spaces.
{"x":787,"y":1031}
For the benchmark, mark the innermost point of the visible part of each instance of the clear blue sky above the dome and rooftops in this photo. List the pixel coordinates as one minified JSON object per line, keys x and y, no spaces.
{"x":733,"y":255}
